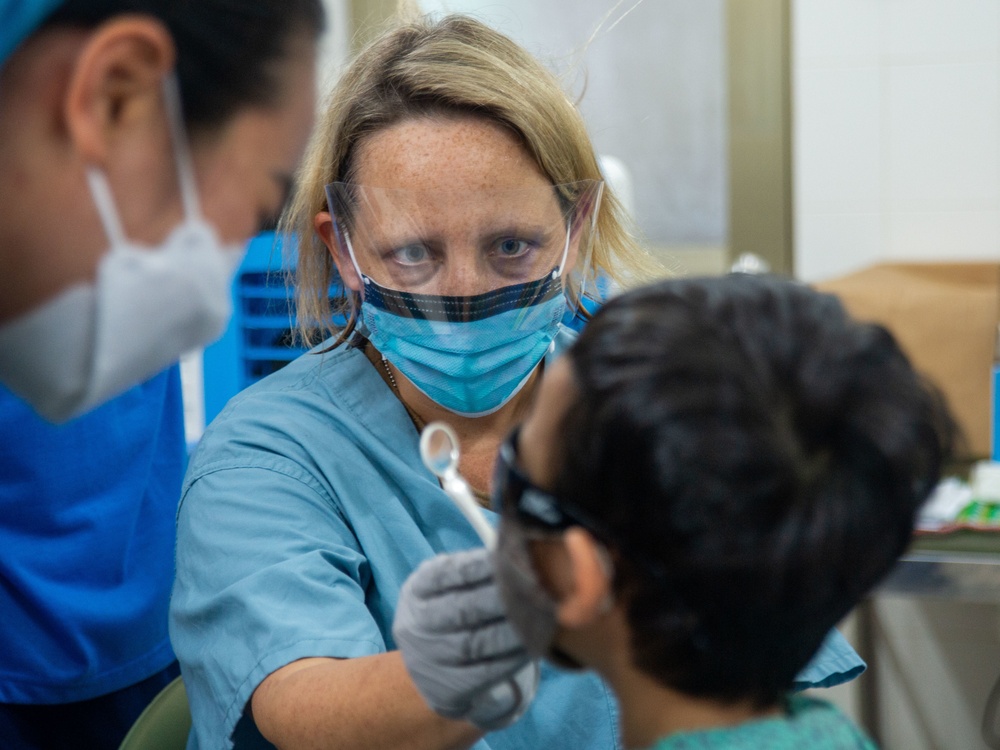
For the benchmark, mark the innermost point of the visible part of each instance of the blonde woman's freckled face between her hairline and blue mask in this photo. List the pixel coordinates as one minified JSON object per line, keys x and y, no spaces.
{"x":452,"y":206}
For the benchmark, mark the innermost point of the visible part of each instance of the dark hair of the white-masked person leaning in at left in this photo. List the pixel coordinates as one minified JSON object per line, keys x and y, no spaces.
{"x":226,"y":49}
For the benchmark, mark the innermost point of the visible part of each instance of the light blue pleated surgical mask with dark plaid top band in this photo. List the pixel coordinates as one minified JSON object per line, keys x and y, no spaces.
{"x":472,"y":354}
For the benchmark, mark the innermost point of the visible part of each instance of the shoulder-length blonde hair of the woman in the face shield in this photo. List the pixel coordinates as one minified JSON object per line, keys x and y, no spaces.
{"x":454,"y":66}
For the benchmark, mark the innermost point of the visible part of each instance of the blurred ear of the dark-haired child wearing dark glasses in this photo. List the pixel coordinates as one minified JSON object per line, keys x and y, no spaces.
{"x":587,"y":580}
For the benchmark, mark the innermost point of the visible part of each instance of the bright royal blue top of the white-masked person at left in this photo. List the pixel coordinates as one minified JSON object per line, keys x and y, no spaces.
{"x":86,"y":543}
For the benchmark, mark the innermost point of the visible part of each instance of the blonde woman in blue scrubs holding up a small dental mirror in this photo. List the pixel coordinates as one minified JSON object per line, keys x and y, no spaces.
{"x":452,"y":189}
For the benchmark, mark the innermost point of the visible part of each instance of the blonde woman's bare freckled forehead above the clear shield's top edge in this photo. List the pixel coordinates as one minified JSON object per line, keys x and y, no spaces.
{"x":446,"y":152}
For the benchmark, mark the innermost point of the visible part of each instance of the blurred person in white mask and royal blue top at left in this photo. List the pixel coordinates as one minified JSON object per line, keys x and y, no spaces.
{"x":140,"y":144}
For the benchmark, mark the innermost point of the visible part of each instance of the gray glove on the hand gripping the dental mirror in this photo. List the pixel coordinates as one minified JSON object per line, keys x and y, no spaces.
{"x":463,"y":656}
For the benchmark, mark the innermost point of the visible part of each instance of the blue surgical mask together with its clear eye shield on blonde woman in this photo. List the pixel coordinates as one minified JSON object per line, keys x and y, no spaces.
{"x":412,"y":249}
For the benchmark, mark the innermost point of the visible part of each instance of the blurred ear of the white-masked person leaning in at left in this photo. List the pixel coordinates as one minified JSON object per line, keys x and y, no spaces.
{"x":116,"y":84}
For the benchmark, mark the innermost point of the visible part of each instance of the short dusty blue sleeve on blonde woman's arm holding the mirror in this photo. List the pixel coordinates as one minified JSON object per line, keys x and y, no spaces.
{"x":267,"y":572}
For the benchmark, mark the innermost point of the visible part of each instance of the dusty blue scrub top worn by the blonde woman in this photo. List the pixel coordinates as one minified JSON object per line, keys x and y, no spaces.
{"x":305,"y":508}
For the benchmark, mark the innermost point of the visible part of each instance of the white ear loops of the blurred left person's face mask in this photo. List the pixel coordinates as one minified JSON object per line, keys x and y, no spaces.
{"x":104,"y":200}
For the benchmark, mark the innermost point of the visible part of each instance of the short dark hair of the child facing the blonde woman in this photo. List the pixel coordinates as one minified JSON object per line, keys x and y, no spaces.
{"x":758,"y":459}
